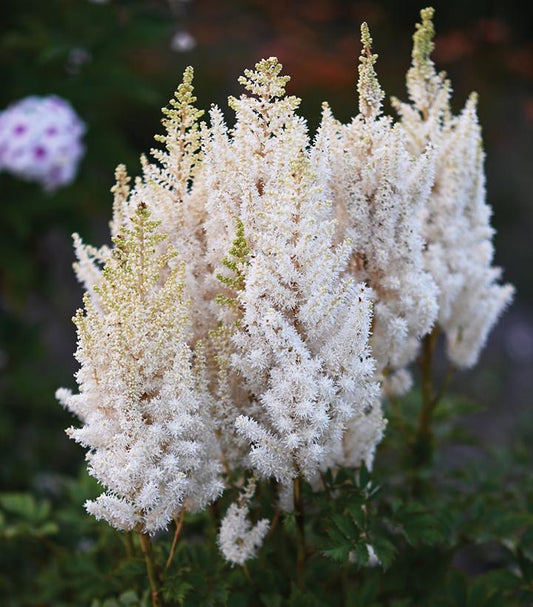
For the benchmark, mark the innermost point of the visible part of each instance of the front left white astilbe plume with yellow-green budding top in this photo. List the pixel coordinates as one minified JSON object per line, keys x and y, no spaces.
{"x":143,"y":403}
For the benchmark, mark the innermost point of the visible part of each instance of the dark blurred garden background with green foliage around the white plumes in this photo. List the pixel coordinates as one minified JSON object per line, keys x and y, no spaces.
{"x":454,"y":531}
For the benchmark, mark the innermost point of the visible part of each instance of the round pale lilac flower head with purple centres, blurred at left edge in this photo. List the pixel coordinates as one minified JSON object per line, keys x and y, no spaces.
{"x":40,"y":140}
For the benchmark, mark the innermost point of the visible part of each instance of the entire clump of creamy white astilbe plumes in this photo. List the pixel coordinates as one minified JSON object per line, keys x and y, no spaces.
{"x":265,"y":288}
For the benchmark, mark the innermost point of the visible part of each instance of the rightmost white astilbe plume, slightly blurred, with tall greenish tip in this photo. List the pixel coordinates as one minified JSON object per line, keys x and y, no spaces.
{"x":456,"y":220}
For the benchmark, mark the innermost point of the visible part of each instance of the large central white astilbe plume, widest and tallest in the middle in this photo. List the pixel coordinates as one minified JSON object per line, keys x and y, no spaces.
{"x":301,"y":342}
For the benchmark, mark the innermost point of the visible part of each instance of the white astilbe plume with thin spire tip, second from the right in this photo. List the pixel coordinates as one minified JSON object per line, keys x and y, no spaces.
{"x":379,"y":191}
